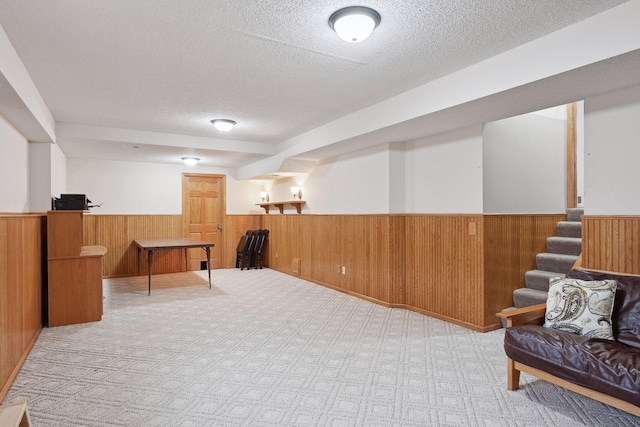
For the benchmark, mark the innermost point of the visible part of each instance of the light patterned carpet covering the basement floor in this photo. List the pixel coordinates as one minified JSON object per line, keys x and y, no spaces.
{"x":266,"y":349}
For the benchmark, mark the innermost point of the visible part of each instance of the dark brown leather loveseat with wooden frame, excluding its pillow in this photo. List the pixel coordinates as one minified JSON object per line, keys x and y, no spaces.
{"x":605,"y":370}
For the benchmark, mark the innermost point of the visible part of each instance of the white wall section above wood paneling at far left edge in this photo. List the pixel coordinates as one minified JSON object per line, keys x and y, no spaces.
{"x":14,"y":169}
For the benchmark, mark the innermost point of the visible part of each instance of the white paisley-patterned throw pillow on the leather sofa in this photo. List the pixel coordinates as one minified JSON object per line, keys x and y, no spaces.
{"x":581,"y":307}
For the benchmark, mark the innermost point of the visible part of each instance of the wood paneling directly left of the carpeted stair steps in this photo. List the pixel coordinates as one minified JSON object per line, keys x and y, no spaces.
{"x":511,"y":243}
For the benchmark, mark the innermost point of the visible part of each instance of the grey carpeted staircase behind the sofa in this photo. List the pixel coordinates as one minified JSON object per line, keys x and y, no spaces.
{"x":563,"y":251}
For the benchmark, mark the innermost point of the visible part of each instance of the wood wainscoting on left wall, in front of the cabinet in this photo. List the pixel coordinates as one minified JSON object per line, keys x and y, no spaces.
{"x":22,"y":261}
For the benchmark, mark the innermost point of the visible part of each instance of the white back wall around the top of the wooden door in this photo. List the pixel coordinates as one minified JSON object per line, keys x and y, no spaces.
{"x":147,"y":188}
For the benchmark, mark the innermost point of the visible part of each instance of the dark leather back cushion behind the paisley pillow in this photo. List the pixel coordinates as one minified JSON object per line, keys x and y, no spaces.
{"x":626,"y":307}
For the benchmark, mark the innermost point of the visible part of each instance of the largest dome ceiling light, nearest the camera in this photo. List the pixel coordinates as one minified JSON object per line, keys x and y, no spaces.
{"x":355,"y":23}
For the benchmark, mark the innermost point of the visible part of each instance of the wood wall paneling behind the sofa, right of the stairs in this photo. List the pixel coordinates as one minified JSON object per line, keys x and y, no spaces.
{"x":611,"y":243}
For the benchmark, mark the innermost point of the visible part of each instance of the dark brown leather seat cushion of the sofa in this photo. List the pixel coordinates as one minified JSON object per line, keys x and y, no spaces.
{"x":606,"y":366}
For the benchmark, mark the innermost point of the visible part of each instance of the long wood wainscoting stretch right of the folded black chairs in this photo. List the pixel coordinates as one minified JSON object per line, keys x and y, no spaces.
{"x":320,"y":248}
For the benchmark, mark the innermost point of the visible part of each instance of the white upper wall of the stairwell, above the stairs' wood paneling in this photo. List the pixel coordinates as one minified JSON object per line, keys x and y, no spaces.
{"x":525,"y":165}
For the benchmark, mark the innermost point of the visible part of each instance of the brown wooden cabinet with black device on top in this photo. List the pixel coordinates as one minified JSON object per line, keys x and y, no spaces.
{"x":75,"y":271}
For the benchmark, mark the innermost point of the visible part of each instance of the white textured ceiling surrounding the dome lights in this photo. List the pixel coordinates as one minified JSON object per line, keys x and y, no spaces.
{"x":275,"y":67}
